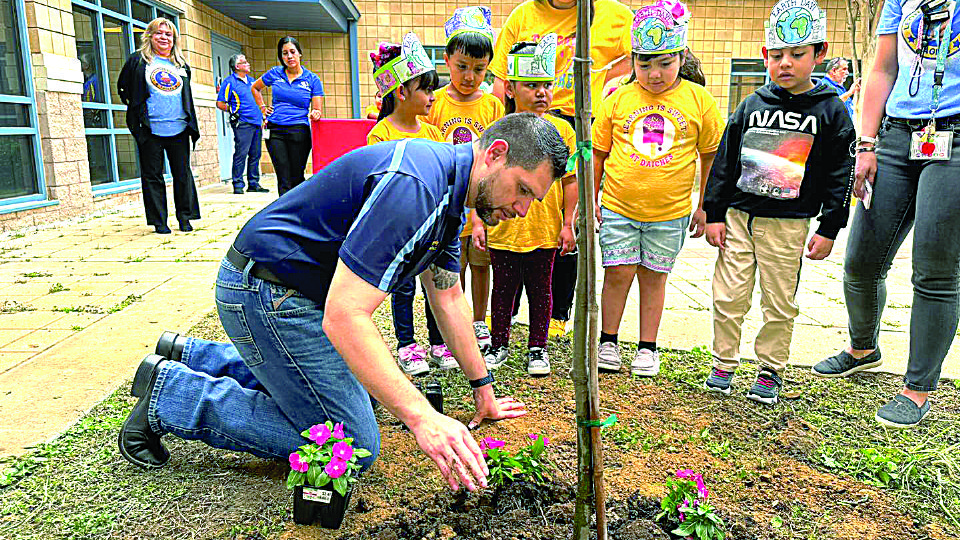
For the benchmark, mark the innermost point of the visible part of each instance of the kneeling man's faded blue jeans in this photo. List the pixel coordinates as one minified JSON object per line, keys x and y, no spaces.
{"x":279,"y":376}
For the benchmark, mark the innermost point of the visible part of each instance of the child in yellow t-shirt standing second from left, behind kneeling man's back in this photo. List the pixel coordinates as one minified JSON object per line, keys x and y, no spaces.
{"x":462,"y":112}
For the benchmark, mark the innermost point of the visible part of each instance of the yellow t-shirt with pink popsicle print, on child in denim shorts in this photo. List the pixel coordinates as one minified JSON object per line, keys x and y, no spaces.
{"x":653,"y":141}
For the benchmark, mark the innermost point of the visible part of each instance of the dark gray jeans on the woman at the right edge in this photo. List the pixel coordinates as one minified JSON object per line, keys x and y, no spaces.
{"x":924,"y":195}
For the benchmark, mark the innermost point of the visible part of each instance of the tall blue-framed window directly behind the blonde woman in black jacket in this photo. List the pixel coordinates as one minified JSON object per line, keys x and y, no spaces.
{"x":107,"y":32}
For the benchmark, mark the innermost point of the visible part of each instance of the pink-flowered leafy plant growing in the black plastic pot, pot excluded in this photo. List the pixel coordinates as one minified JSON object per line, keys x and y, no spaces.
{"x":331,"y":457}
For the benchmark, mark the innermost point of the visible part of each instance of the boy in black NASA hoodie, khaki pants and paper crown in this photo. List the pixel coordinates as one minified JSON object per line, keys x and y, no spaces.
{"x":784,"y":159}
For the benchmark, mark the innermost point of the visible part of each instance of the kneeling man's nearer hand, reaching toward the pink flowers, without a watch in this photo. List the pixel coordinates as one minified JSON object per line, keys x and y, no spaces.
{"x":451,"y":446}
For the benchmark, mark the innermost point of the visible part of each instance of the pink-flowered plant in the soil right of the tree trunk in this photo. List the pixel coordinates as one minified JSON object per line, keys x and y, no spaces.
{"x":686,"y":503}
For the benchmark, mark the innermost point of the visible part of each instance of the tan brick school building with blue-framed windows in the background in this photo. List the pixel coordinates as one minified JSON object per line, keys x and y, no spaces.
{"x":64,"y":147}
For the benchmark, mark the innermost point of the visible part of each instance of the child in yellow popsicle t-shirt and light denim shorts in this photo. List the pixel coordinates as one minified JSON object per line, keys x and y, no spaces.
{"x":646,"y":140}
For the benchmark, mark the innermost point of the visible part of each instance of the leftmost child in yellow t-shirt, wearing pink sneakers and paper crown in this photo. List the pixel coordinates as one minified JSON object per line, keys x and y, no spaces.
{"x":407,"y":95}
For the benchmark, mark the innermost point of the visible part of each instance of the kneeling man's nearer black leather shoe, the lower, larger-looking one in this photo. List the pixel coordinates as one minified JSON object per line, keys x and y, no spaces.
{"x":137,"y":441}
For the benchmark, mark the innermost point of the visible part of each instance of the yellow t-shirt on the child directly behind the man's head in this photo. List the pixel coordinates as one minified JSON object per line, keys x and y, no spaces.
{"x":540,"y":228}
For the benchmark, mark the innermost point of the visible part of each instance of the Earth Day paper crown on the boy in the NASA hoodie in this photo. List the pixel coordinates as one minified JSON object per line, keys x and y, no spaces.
{"x":794,"y":23}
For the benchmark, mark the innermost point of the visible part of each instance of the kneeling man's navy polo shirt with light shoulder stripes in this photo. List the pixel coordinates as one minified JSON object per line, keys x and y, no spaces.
{"x":387,"y":210}
